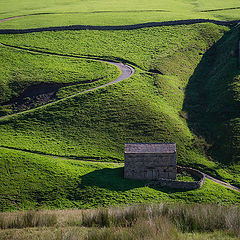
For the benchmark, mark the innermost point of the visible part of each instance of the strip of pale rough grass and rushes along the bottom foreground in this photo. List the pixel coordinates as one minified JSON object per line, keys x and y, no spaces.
{"x":133,"y":222}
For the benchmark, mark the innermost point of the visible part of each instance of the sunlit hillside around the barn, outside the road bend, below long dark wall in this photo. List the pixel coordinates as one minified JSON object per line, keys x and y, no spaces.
{"x":94,"y":126}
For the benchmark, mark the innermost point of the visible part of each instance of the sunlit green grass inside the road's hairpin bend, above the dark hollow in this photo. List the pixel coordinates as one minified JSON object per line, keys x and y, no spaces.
{"x":21,"y":69}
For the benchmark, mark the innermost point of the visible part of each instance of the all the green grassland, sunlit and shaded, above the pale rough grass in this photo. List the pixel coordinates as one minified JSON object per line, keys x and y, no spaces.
{"x":69,"y":153}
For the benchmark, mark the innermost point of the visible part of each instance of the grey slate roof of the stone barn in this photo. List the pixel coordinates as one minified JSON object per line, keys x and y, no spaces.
{"x":150,"y":147}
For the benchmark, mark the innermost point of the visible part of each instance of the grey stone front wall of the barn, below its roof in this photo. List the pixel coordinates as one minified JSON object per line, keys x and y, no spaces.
{"x":150,"y":166}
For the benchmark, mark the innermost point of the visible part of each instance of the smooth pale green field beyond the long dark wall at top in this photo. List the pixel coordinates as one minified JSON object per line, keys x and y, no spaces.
{"x":62,"y":13}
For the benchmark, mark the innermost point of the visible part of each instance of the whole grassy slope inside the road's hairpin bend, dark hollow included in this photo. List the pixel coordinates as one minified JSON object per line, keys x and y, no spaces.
{"x":23,"y":73}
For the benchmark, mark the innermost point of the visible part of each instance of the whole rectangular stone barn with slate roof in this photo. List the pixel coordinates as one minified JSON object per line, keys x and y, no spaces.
{"x":150,"y":161}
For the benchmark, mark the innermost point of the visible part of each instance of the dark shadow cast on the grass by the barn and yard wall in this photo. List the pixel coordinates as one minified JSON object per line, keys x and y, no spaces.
{"x":113,"y":179}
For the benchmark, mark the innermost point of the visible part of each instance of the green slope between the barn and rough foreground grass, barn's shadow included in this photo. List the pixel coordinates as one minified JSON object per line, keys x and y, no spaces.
{"x":33,"y":181}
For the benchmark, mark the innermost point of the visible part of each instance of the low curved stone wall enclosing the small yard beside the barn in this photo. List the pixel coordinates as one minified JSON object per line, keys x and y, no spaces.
{"x":181,"y":184}
